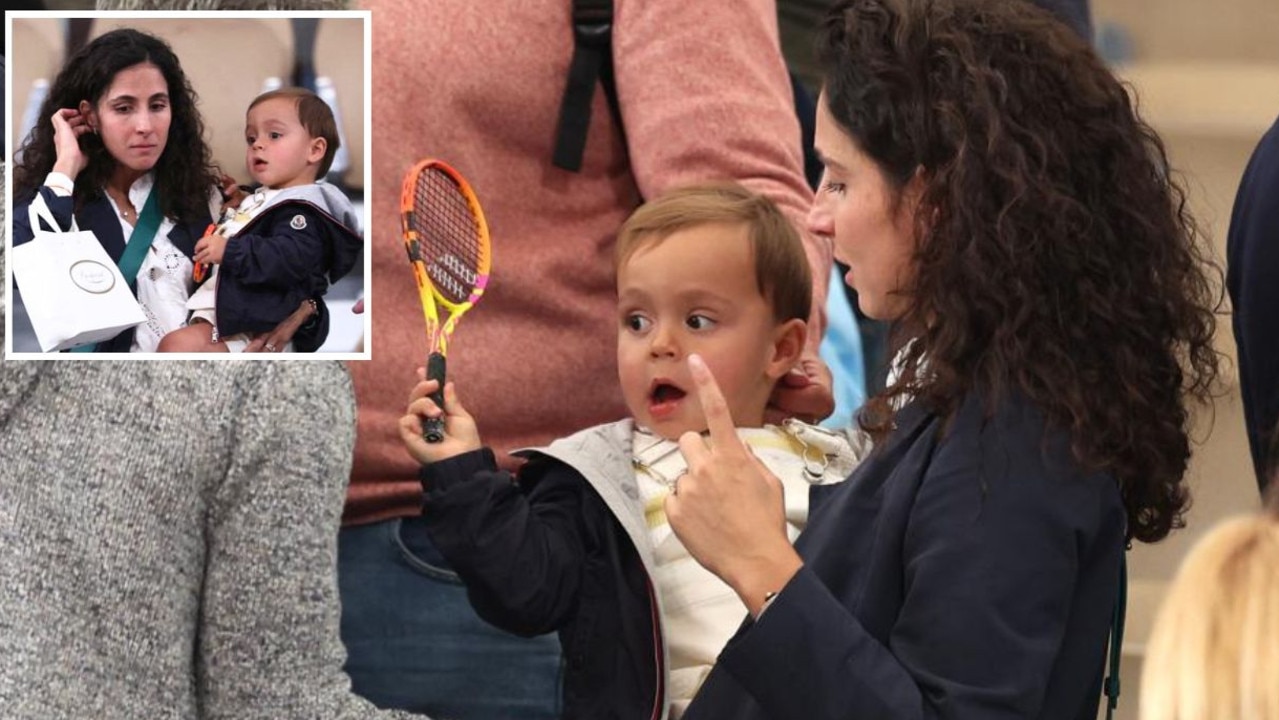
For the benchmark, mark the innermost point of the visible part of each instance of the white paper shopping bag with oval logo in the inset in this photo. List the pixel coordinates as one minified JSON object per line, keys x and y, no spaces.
{"x":74,"y":292}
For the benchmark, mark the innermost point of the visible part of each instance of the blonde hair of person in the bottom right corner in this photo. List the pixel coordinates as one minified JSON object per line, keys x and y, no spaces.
{"x":1214,"y":650}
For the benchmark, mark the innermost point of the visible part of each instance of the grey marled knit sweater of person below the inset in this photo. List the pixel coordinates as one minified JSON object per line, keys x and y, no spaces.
{"x":168,"y":539}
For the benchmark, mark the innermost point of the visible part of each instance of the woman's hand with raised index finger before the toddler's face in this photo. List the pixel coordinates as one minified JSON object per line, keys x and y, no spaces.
{"x":728,"y":508}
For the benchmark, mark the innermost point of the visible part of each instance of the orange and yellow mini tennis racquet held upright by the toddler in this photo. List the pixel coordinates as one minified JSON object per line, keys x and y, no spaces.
{"x":448,"y":245}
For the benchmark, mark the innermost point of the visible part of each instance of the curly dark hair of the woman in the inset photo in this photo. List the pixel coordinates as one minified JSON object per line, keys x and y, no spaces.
{"x":185,"y":171}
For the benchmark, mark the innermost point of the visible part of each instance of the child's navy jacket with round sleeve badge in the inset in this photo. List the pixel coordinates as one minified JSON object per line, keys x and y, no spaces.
{"x":288,"y":254}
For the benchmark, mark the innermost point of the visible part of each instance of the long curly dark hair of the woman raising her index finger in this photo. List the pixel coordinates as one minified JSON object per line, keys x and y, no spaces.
{"x":1056,"y":255}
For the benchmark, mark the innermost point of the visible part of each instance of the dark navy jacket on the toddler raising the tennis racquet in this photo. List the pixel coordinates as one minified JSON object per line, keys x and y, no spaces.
{"x":548,"y":556}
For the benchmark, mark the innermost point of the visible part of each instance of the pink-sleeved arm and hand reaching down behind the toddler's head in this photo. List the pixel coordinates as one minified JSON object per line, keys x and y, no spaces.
{"x":695,"y":109}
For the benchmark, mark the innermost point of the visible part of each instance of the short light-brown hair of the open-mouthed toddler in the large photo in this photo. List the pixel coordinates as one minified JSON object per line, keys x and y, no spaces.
{"x":781,"y":265}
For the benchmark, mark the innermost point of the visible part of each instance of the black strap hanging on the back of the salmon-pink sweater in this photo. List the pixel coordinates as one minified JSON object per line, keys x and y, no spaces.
{"x":593,"y":62}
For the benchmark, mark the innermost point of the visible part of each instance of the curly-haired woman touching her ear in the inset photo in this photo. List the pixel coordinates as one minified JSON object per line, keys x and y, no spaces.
{"x":122,"y":123}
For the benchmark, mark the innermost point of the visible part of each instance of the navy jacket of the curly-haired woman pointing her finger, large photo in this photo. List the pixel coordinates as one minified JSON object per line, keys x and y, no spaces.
{"x":968,"y":576}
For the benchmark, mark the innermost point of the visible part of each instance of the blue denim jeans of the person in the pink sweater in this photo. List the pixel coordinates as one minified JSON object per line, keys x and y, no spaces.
{"x":415,"y":644}
